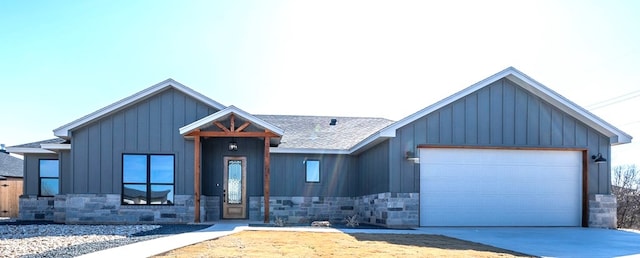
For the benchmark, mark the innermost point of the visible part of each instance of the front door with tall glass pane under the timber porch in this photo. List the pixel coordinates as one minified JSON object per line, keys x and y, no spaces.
{"x":234,"y":196}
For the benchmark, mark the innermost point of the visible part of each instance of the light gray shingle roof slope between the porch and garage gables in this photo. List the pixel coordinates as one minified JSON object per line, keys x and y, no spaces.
{"x":314,"y":132}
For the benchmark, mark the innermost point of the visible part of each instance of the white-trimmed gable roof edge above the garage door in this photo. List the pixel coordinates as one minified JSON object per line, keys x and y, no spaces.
{"x":616,"y":135}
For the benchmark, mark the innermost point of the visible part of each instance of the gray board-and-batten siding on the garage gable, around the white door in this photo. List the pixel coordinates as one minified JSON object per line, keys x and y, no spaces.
{"x":501,"y":114}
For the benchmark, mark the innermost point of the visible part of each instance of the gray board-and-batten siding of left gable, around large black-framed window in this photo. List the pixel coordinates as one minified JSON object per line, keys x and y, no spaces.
{"x":149,"y":126}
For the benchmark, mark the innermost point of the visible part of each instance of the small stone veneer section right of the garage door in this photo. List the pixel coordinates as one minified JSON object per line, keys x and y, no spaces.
{"x":603,"y":211}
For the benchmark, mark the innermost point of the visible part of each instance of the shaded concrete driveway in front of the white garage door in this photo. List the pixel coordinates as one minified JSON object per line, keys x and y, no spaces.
{"x":551,"y":242}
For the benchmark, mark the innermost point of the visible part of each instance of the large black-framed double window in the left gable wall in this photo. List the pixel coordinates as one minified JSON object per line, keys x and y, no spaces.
{"x":147,"y":179}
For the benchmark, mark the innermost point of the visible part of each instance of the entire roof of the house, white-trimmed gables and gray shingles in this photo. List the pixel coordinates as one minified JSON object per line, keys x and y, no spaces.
{"x":313,"y":134}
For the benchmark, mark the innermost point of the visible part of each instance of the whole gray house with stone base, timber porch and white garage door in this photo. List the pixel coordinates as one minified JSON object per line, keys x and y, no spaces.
{"x":506,"y":151}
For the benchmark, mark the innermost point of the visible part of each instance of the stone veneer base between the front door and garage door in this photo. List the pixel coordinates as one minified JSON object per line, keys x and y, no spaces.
{"x":398,"y":210}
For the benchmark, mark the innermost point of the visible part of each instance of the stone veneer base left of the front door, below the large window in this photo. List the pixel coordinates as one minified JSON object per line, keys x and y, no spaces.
{"x":107,"y":208}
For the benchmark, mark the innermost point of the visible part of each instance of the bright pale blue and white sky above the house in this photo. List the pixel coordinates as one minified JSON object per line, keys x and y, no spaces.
{"x":60,"y":60}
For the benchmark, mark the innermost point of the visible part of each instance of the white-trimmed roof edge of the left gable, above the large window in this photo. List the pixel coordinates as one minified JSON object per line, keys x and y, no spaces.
{"x":63,"y":131}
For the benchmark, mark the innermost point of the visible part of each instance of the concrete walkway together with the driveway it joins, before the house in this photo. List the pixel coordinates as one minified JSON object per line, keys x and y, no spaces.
{"x":543,"y":242}
